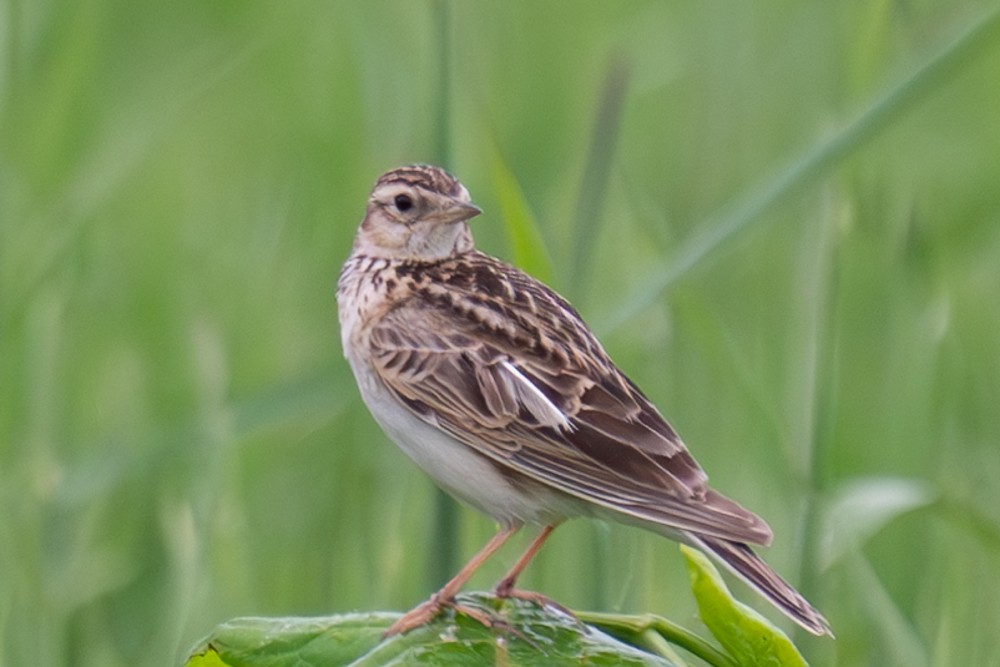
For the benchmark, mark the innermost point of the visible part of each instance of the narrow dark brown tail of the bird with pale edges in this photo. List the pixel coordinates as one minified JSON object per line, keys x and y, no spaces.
{"x":748,"y":566}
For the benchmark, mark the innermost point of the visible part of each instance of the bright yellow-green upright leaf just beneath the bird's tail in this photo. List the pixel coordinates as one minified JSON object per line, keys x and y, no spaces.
{"x":745,"y":634}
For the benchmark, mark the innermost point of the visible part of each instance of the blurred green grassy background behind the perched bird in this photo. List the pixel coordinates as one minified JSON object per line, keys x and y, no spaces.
{"x":782,"y":218}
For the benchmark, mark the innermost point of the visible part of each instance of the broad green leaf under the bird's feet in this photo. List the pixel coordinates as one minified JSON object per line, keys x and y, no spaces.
{"x":522,"y":634}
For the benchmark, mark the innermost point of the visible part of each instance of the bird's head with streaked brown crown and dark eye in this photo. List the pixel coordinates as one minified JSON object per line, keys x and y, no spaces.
{"x":417,"y":213}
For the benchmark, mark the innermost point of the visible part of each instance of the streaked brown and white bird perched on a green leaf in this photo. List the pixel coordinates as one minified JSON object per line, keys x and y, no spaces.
{"x":495,"y":386}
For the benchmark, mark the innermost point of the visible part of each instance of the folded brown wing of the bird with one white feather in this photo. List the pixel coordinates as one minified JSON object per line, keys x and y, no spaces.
{"x":532,"y":389}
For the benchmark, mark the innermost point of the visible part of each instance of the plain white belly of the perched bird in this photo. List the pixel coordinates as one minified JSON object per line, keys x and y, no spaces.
{"x":455,"y":467}
